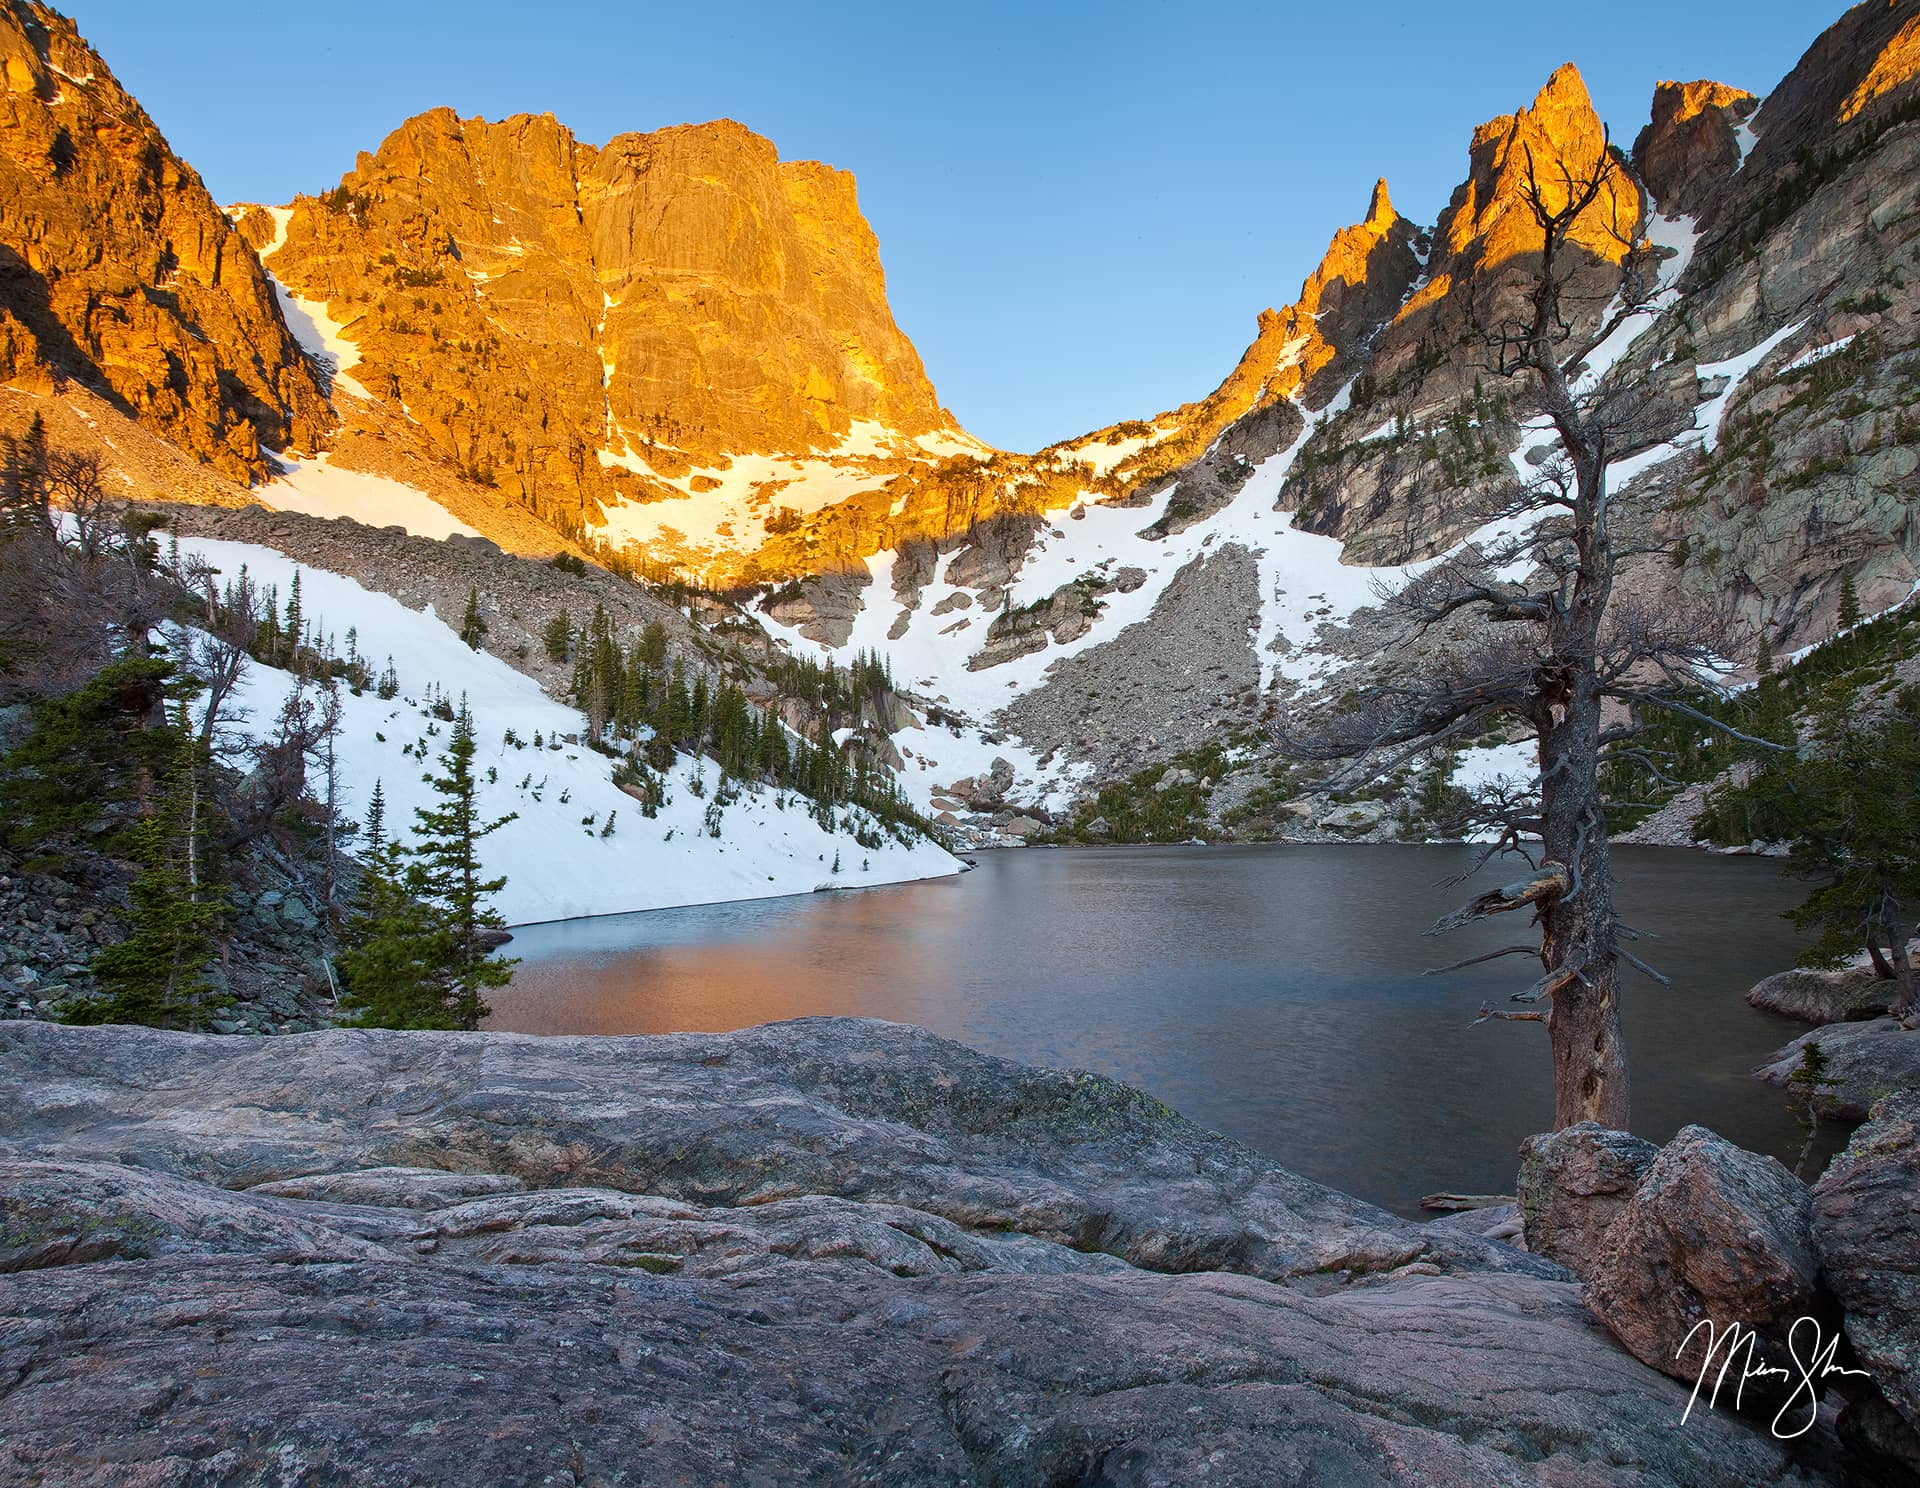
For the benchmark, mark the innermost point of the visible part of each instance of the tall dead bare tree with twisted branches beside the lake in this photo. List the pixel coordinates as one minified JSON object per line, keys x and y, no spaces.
{"x":1543,"y":642}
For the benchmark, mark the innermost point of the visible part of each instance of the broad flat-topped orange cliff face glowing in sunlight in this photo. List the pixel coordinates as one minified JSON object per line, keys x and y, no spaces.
{"x":585,"y":327}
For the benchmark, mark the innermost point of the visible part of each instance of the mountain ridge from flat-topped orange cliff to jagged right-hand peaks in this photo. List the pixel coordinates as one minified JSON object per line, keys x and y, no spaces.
{"x":446,"y":297}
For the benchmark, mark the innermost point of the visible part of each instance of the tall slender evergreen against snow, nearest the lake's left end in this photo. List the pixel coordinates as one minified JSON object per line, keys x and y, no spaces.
{"x":446,"y":875}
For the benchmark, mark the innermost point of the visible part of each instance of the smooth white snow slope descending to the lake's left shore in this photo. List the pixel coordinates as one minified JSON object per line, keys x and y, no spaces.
{"x":556,"y":859}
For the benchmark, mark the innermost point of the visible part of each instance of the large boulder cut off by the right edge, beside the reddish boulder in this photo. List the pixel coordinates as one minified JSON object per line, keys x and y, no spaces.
{"x":1865,"y":1226}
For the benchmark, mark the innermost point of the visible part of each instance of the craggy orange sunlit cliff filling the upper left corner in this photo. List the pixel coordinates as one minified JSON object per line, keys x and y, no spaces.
{"x":120,"y":274}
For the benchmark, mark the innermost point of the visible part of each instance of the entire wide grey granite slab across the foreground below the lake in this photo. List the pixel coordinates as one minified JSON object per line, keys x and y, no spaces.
{"x":828,"y":1251}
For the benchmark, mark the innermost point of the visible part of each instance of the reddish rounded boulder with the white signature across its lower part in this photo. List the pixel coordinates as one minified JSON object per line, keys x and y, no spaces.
{"x":1714,"y":1239}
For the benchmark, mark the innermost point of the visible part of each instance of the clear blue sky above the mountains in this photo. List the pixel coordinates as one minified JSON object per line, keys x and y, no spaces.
{"x":1082,"y":208}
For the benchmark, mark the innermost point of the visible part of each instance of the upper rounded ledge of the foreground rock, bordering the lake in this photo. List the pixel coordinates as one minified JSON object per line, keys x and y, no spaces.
{"x":867,"y":1113}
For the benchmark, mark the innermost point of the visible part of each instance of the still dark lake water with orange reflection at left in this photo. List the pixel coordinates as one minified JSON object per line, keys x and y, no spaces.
{"x":1268,"y":992}
